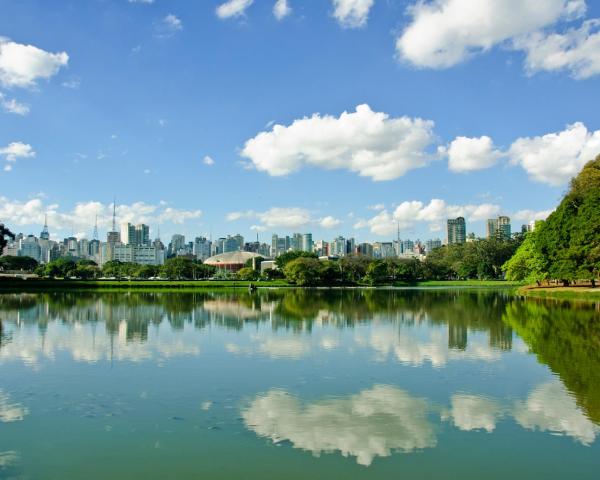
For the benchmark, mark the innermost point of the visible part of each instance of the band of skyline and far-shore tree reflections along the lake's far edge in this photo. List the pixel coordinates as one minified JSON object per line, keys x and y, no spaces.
{"x":290,"y":309}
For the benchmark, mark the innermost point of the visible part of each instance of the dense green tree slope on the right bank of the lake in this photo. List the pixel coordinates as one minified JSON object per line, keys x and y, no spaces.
{"x":566,"y":246}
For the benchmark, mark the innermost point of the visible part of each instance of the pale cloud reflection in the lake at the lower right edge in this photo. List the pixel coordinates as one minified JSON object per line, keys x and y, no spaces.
{"x":549,"y":407}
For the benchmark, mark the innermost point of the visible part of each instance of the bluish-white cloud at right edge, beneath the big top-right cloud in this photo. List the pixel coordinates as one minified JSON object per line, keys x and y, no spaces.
{"x":577,"y":50}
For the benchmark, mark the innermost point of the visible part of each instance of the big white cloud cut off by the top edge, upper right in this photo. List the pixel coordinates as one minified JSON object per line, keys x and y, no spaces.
{"x":443,"y":33}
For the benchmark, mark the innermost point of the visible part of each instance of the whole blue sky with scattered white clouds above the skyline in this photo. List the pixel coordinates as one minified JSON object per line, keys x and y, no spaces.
{"x":336,"y":117}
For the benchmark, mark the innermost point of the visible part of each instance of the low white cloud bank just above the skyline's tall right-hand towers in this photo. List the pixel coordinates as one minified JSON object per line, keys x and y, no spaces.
{"x":409,"y":213}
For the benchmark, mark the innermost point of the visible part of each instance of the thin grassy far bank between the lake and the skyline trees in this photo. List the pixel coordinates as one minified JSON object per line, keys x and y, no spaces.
{"x":18,"y":285}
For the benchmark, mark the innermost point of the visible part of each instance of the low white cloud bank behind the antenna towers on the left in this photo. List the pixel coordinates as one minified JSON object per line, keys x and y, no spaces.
{"x":81,"y":217}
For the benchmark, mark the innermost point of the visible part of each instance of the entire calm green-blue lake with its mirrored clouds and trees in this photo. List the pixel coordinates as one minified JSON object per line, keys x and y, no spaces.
{"x":298,"y":384}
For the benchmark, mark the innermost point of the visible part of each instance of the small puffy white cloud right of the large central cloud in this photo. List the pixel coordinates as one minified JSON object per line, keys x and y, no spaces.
{"x":466,"y":154}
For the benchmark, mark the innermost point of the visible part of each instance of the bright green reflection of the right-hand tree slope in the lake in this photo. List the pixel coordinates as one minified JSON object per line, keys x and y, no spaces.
{"x":566,"y":337}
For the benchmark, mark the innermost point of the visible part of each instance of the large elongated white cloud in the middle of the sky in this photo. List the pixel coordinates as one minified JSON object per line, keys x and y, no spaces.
{"x":369,"y":143}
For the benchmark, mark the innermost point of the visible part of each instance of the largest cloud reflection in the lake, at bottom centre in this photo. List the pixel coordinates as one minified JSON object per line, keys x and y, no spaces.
{"x":373,"y":423}
